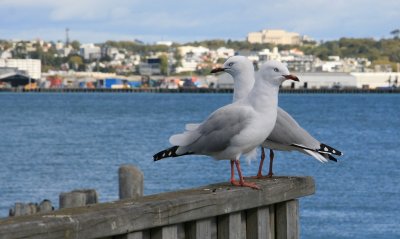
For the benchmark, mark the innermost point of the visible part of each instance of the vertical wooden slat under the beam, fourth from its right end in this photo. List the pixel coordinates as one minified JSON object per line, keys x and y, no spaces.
{"x":201,"y":229}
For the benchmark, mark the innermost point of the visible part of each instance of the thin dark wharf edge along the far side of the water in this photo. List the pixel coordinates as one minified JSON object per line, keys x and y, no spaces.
{"x":199,"y":90}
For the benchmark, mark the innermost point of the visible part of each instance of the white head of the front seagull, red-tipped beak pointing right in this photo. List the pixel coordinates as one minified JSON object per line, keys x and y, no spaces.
{"x":275,"y":72}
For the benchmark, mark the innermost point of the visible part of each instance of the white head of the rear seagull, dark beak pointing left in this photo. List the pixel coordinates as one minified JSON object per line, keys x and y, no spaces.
{"x":236,"y":65}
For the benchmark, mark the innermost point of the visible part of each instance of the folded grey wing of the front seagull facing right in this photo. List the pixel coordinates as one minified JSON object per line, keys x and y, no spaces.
{"x":218,"y":130}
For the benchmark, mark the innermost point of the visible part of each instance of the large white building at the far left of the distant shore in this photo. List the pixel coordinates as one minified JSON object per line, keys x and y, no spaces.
{"x":32,"y":67}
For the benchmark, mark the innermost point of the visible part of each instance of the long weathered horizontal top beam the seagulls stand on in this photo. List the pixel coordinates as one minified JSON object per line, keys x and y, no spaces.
{"x":121,"y":217}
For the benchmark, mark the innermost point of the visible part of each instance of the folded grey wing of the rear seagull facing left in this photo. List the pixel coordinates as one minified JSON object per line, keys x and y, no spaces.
{"x":287,"y":131}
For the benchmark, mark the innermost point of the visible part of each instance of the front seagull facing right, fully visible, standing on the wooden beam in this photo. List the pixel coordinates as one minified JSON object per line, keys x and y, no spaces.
{"x":234,"y":130}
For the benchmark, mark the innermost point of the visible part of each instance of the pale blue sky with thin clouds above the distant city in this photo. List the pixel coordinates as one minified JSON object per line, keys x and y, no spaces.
{"x":94,"y":21}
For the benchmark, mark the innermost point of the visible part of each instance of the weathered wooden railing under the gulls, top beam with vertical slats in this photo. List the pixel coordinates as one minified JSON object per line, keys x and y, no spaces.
{"x":212,"y":211}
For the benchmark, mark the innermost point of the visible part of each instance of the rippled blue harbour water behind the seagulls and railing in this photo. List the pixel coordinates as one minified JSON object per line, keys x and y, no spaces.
{"x":52,"y":143}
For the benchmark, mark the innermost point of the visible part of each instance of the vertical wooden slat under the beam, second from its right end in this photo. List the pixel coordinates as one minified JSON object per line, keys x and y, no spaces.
{"x":258,"y":224}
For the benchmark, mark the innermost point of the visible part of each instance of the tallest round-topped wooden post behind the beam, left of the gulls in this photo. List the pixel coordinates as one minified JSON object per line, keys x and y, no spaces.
{"x":130,"y":182}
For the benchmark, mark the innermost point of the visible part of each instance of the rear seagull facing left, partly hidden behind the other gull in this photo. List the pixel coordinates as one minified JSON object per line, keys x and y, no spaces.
{"x":287,"y":134}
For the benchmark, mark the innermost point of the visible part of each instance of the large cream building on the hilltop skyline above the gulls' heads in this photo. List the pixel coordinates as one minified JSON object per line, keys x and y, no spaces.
{"x":281,"y":37}
